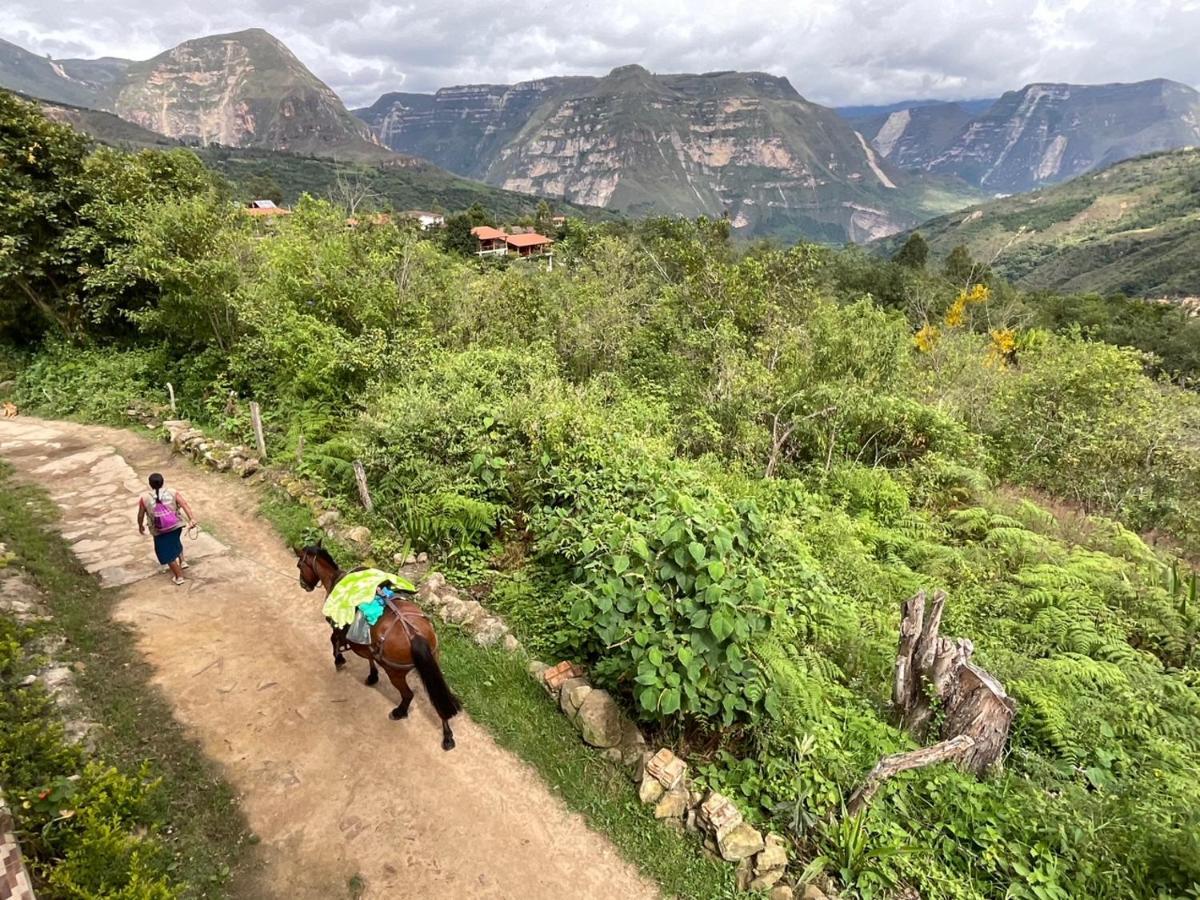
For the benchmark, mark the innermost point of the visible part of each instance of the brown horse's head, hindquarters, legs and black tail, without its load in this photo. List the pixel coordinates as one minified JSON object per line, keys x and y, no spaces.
{"x":401,"y":640}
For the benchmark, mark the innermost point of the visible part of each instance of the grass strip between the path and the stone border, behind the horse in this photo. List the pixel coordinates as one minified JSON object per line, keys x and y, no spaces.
{"x":500,"y":695}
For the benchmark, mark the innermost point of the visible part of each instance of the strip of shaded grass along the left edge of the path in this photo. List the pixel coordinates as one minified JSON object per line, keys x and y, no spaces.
{"x":207,"y":833}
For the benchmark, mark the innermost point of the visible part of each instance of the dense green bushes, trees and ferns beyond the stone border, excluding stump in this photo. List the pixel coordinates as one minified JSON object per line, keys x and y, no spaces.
{"x":711,"y":475}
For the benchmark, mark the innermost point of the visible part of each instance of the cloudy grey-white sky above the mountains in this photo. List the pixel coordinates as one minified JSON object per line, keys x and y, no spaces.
{"x":836,"y":52}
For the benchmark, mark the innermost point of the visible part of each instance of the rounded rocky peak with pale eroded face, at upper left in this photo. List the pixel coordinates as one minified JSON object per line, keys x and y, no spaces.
{"x":244,"y":89}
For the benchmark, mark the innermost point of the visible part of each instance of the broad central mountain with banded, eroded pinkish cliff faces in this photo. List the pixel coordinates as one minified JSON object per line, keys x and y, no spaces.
{"x":739,"y":145}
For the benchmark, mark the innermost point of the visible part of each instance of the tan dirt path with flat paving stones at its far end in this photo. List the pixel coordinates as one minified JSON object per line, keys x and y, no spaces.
{"x":301,"y":743}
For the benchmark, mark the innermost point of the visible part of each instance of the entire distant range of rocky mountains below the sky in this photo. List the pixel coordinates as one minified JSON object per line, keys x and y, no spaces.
{"x":741,"y":145}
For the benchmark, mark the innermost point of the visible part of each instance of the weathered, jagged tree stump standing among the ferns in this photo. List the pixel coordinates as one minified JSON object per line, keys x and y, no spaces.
{"x":935,"y":674}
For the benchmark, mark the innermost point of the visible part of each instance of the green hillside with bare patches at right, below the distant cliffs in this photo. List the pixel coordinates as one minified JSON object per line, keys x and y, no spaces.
{"x":1132,"y":229}
